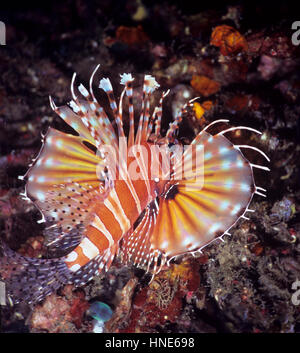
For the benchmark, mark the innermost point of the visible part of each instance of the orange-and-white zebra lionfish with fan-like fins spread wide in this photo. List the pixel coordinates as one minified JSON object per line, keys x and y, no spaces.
{"x":92,"y":215}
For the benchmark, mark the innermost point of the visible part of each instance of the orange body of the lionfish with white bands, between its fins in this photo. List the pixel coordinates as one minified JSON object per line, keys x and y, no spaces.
{"x":113,"y":219}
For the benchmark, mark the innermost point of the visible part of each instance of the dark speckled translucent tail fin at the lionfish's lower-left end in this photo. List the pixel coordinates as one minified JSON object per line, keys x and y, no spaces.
{"x":31,"y":280}
